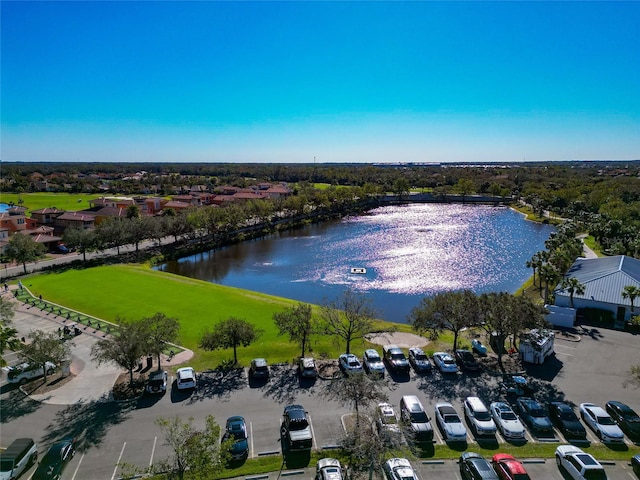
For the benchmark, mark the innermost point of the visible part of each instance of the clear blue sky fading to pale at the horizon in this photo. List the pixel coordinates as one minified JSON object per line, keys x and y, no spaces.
{"x":338,"y":81}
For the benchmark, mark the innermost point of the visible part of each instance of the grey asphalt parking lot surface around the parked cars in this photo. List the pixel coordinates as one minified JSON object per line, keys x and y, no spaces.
{"x":112,"y":434}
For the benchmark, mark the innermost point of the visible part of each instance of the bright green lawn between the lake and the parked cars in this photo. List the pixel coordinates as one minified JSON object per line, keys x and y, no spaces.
{"x":136,"y":291}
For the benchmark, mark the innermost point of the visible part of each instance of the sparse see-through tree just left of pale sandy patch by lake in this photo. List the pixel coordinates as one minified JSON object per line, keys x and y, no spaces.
{"x":350,"y":317}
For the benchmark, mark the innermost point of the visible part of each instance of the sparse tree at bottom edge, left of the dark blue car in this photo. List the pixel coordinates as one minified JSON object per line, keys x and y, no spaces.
{"x":197,"y":451}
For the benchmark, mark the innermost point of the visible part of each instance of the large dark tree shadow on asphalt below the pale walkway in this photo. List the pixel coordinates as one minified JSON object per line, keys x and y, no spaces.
{"x":87,"y":423}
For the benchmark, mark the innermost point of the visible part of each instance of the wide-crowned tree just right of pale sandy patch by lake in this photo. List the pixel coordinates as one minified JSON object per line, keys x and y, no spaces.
{"x":447,"y":311}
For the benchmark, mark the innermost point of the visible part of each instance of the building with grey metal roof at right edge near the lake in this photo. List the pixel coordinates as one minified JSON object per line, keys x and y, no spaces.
{"x":604,"y":280}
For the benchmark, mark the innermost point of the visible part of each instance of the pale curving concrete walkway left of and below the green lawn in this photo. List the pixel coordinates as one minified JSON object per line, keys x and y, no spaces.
{"x":92,"y":382}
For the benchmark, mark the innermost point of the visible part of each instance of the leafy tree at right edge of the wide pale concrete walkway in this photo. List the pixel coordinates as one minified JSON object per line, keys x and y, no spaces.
{"x":124,"y":347}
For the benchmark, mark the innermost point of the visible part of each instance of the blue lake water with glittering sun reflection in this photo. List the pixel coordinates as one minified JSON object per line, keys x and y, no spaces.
{"x":408,"y":252}
